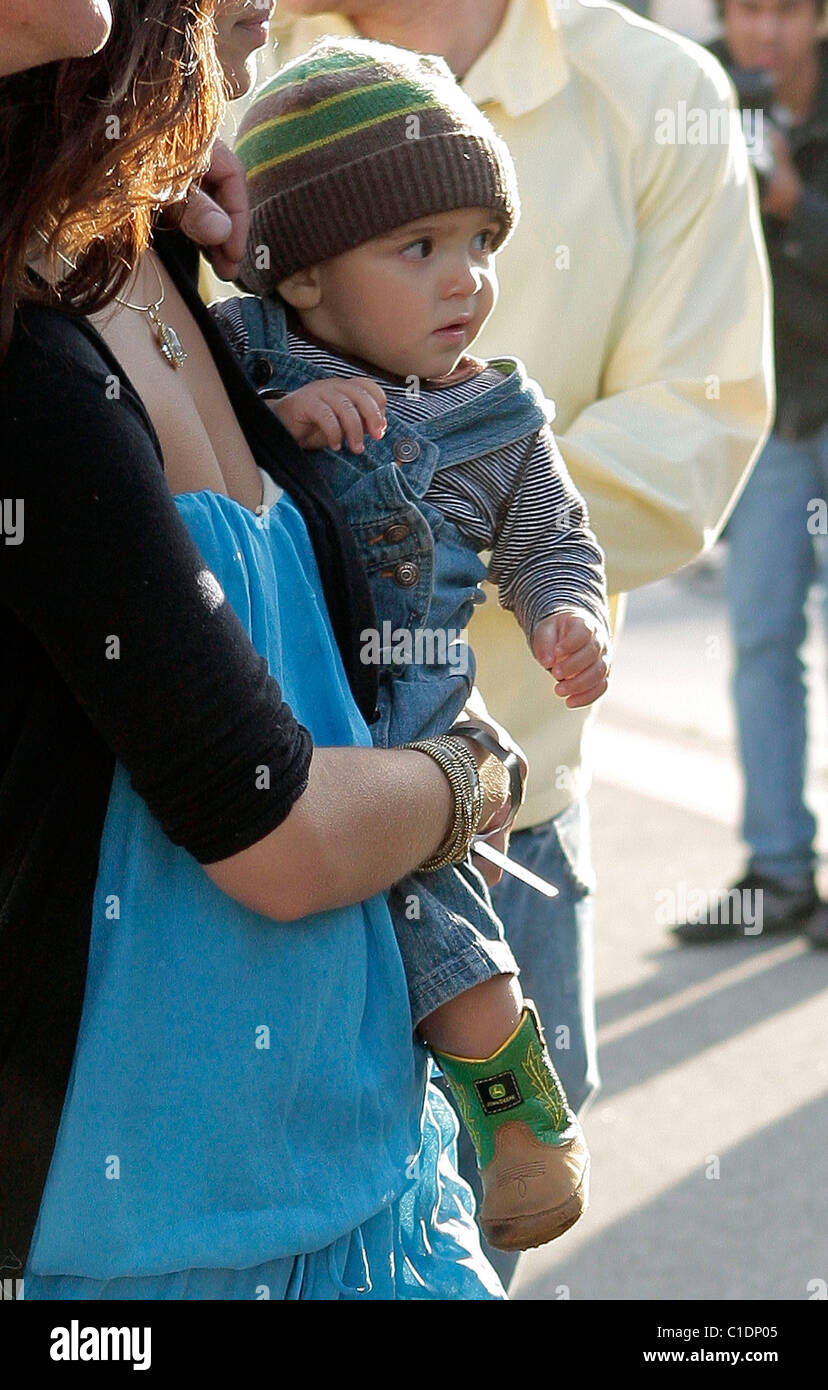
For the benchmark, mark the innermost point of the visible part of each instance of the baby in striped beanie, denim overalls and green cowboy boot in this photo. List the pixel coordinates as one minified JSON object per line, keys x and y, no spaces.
{"x":380,"y":197}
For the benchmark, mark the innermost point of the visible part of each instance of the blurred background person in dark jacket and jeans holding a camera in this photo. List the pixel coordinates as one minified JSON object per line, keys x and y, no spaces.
{"x":768,"y":603}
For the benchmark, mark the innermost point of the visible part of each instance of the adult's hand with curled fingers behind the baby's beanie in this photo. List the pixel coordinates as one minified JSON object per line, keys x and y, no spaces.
{"x":217,"y":215}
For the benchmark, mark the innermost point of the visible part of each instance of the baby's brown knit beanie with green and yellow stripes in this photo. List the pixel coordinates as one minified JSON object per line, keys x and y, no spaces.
{"x":354,"y":140}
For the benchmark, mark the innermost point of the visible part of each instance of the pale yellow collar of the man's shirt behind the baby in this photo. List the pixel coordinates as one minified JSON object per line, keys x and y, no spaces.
{"x":524,"y":65}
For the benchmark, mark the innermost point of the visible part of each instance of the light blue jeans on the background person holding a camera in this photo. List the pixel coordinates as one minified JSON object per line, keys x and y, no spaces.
{"x":775,"y":555}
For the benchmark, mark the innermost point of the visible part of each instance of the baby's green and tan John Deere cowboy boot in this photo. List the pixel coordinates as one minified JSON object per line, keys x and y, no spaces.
{"x":531,"y":1150}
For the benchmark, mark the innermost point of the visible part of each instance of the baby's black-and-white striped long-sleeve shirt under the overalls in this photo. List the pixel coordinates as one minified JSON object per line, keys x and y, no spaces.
{"x":516,"y":502}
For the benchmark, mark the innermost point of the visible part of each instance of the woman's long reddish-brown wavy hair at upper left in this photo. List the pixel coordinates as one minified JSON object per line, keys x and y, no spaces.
{"x":90,"y":148}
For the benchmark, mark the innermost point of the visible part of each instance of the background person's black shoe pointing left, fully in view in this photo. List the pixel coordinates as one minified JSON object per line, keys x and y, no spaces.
{"x":783,"y":908}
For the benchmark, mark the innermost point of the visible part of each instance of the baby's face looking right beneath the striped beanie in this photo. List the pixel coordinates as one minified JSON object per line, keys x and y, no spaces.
{"x":413,"y":301}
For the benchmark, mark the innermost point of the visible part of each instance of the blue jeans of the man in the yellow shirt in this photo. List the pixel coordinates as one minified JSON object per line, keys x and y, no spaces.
{"x":552,"y":940}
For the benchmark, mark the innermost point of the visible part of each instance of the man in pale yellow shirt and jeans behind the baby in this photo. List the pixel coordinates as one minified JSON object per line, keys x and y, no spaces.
{"x":636,"y":290}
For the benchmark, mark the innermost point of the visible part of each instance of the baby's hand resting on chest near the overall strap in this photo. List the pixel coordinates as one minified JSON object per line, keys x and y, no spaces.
{"x":323,"y":412}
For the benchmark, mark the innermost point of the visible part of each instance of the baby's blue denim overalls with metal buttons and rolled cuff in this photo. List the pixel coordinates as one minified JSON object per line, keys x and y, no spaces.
{"x":426,"y":579}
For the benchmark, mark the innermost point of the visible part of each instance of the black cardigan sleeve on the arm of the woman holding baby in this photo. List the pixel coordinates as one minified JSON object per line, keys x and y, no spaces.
{"x":102,"y":554}
